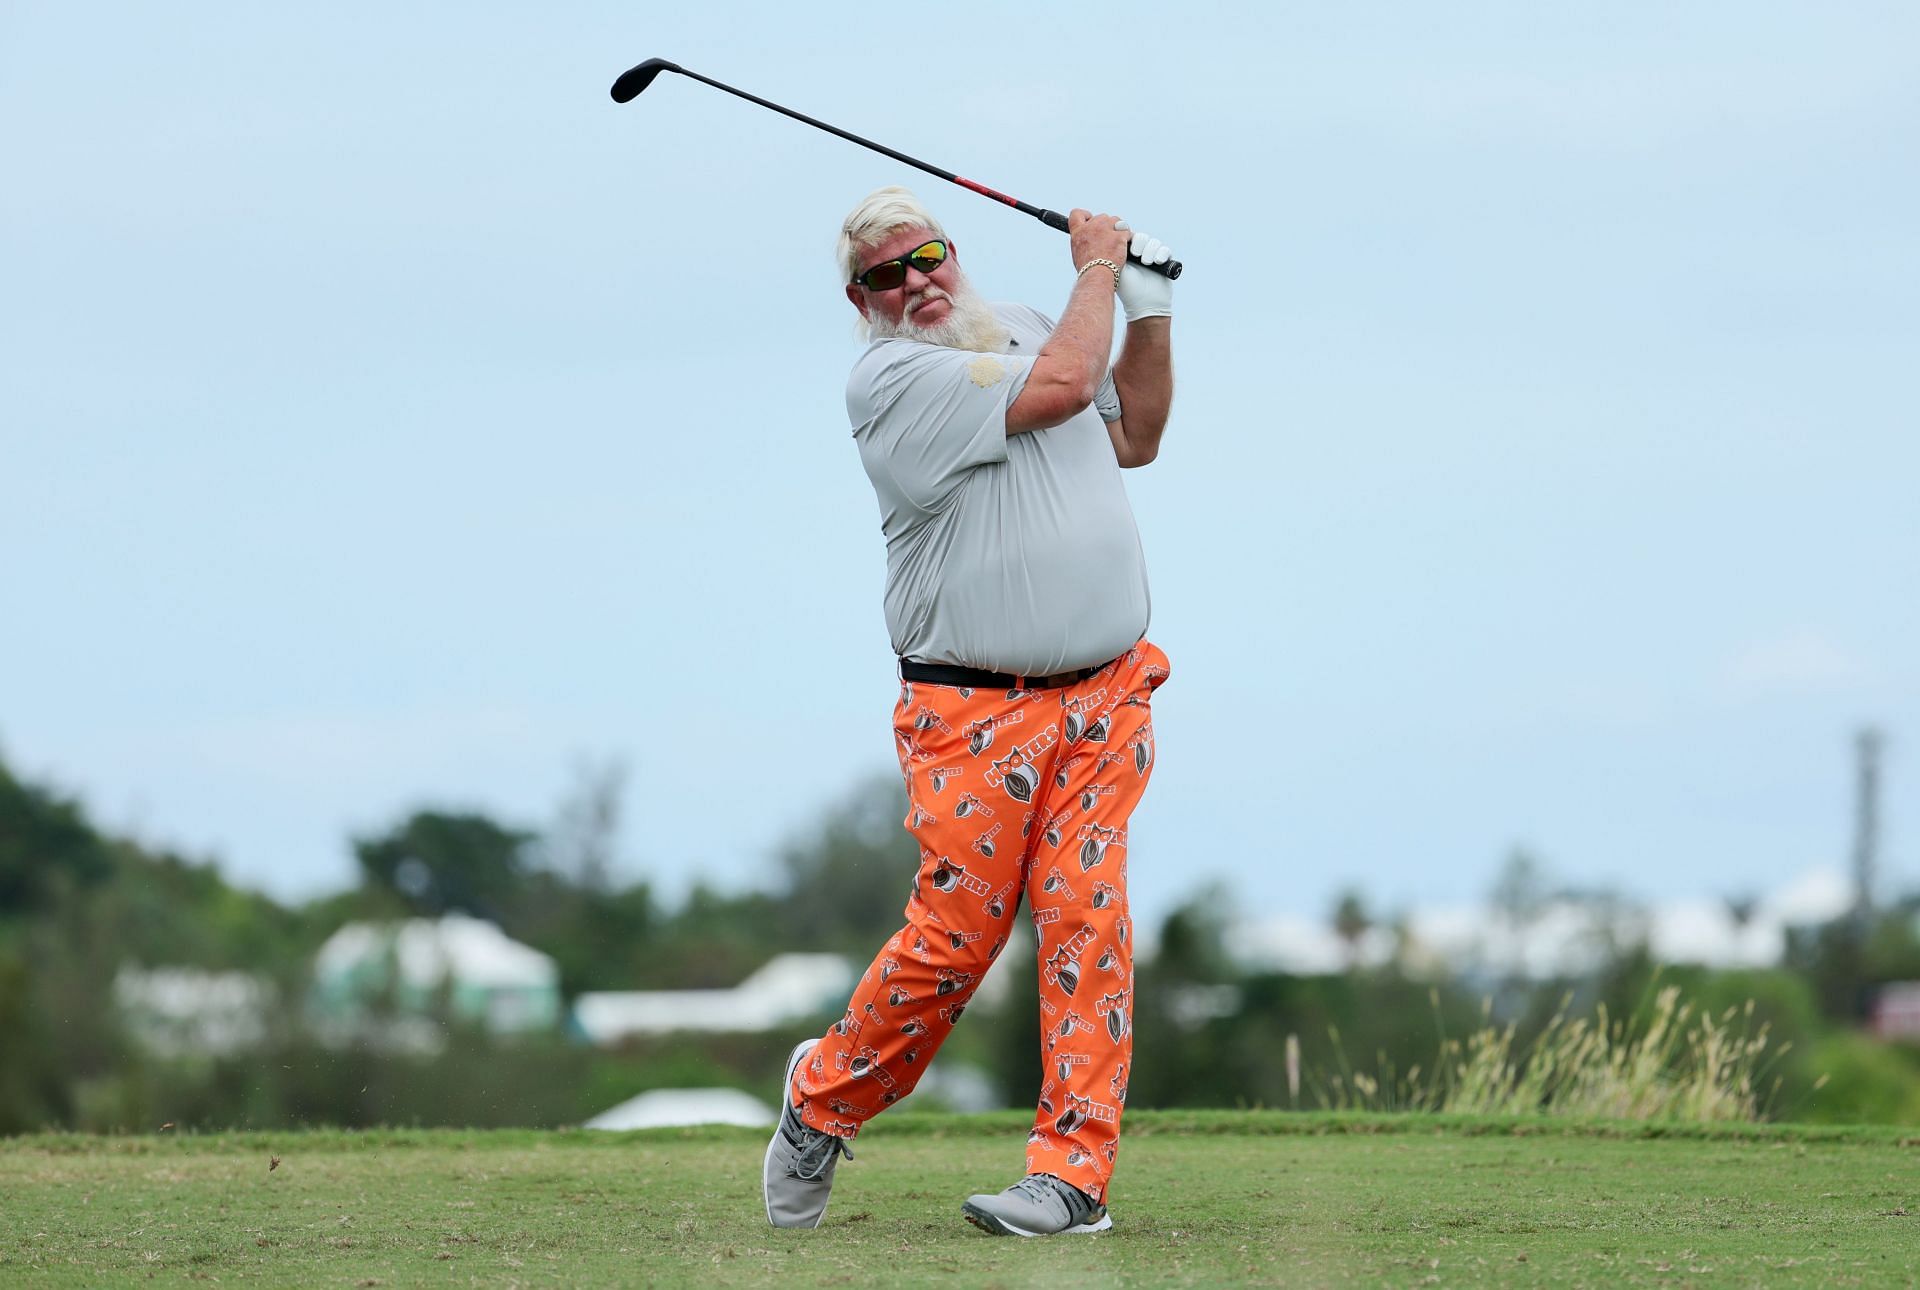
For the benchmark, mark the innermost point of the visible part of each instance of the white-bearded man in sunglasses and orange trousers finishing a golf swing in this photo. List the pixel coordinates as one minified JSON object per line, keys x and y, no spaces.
{"x":1017,"y":600}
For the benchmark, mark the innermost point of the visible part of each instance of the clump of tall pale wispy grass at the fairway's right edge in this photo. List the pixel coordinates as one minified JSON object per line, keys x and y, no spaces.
{"x":1677,"y":1064}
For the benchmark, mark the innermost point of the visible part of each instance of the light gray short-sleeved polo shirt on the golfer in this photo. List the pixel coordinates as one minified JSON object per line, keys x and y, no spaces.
{"x":1015,"y":554}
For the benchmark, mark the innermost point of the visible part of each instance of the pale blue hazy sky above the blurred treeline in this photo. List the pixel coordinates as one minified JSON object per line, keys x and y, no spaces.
{"x":393,"y":421}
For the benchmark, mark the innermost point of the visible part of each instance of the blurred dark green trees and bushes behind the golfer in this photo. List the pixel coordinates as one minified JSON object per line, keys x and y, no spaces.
{"x":78,"y":905}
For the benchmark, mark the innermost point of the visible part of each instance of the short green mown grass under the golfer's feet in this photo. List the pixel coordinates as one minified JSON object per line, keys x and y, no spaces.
{"x":1201,"y":1199}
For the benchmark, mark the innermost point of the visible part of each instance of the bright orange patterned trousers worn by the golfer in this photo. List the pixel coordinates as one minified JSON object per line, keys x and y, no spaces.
{"x":1011,"y":794}
